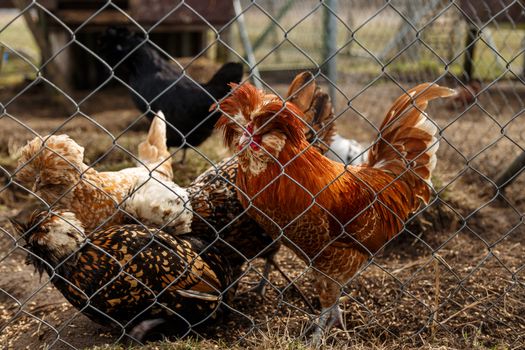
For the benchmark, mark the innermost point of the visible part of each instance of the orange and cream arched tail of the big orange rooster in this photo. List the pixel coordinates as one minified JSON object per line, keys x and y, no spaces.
{"x":407,"y":139}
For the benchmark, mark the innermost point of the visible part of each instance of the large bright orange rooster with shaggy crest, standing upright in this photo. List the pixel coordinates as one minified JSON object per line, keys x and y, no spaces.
{"x":333,"y":216}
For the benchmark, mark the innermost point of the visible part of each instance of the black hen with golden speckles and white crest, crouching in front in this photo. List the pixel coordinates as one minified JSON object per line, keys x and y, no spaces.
{"x":129,"y":275}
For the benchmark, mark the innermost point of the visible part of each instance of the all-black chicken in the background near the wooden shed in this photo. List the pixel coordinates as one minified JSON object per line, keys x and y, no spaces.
{"x":161,"y":85}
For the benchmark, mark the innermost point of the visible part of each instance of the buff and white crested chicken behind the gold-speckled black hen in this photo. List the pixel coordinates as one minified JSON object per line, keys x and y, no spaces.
{"x":54,"y":168}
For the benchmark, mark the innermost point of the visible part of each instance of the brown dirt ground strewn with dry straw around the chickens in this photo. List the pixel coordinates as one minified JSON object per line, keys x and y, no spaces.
{"x":454,"y":278}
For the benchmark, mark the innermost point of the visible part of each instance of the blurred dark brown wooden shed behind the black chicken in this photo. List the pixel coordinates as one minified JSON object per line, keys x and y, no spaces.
{"x":179,"y":28}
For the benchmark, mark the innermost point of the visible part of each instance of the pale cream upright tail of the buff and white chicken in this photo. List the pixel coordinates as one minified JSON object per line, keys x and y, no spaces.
{"x":153,"y":152}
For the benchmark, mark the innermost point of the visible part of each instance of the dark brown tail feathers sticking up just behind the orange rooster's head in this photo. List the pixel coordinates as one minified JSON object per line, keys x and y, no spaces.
{"x":317,"y":108}
